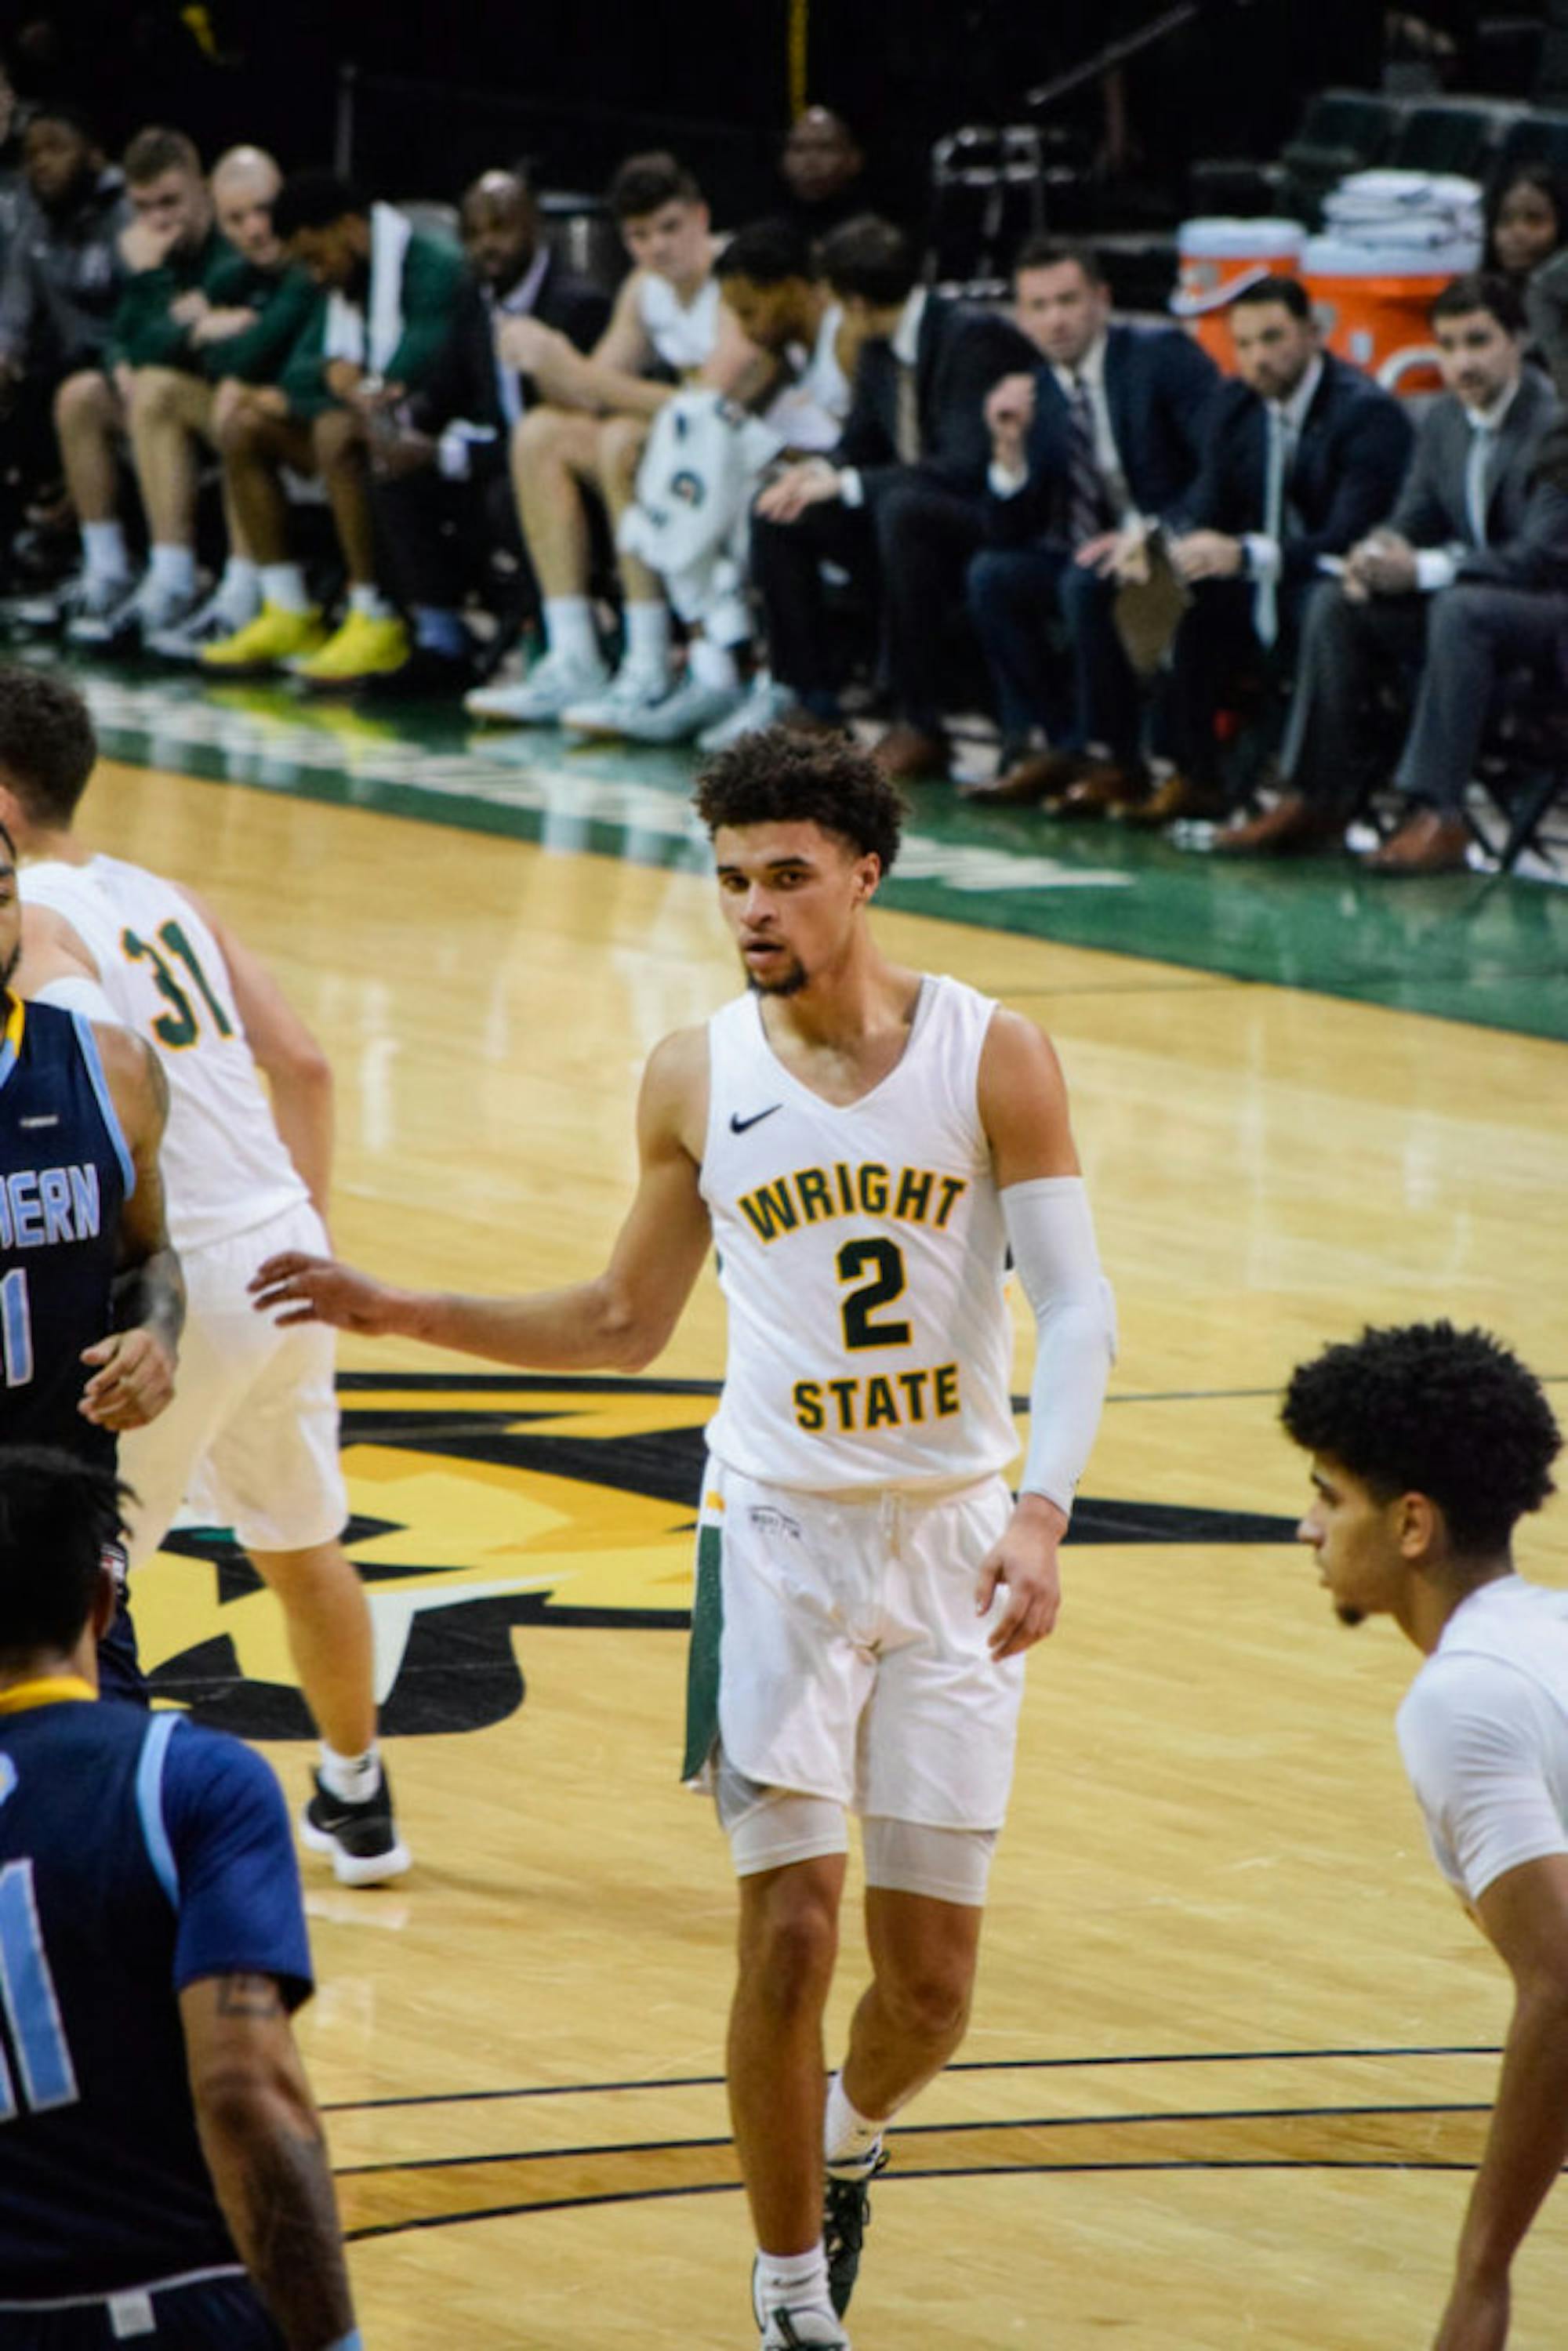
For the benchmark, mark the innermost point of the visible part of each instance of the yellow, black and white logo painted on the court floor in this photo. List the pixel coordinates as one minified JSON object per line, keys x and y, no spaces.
{"x":483,"y":1506}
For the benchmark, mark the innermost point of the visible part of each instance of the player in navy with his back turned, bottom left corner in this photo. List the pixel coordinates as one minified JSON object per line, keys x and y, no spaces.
{"x":163,"y":2176}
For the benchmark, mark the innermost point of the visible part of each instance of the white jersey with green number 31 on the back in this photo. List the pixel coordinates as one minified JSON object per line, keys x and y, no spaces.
{"x":161,"y":967}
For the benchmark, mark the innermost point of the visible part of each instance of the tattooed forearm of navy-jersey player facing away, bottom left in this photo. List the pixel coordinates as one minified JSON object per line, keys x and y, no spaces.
{"x":274,"y":2181}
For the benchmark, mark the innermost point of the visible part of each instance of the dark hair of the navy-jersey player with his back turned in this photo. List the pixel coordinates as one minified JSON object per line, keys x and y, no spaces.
{"x":58,"y":1518}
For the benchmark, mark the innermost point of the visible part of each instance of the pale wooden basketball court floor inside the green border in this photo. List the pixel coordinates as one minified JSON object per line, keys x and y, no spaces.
{"x":1233,"y":2042}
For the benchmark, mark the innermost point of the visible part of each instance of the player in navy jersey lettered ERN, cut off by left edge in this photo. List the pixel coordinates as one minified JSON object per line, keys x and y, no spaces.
{"x":91,"y":1290}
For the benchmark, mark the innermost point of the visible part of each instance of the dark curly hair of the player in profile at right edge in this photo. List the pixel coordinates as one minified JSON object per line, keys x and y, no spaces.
{"x":1440,"y":1412}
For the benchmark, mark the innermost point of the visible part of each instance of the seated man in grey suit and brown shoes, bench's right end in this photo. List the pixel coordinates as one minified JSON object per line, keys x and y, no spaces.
{"x":1466,"y":580}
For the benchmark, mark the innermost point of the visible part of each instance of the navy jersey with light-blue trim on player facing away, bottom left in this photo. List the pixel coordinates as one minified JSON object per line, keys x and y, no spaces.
{"x":138,"y":1854}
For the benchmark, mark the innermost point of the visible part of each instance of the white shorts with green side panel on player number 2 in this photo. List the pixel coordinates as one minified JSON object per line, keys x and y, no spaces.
{"x":836,"y":1649}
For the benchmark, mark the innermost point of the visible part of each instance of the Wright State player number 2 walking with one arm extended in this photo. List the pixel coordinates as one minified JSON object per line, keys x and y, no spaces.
{"x":864,"y":1146}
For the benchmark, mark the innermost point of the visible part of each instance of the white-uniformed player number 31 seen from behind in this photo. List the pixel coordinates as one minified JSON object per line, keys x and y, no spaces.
{"x":253,"y":1433}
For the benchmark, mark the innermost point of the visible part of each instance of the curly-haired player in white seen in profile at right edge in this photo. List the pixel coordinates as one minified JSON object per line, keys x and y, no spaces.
{"x":1428,"y":1447}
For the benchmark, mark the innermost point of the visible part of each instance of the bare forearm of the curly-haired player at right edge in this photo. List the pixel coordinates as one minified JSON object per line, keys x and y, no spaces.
{"x":1529,"y":2136}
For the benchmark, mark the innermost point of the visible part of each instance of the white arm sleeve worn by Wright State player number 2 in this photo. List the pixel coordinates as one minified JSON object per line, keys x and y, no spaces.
{"x":1076,"y":1329}
